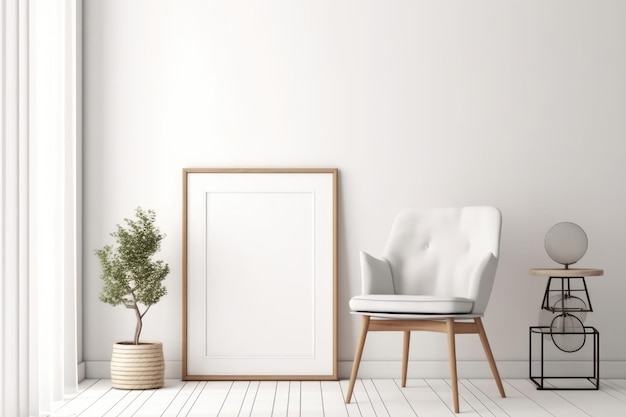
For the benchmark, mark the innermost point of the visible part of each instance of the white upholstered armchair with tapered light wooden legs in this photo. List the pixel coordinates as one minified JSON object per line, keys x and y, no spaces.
{"x":436,"y":274}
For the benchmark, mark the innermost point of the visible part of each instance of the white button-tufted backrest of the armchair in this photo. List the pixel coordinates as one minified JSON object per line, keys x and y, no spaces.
{"x":450,"y":252}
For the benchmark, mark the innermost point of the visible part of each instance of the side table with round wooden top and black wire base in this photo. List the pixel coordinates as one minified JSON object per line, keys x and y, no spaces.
{"x":564,"y":308}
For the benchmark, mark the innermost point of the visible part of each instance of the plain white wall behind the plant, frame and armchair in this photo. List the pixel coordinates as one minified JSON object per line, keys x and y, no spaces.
{"x":519,"y":104}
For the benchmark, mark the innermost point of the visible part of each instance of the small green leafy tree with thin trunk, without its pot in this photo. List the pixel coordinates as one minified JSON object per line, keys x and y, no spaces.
{"x":129,"y":274}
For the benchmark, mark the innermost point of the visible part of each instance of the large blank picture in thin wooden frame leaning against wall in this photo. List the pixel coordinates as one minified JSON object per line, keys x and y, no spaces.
{"x":260,"y":274}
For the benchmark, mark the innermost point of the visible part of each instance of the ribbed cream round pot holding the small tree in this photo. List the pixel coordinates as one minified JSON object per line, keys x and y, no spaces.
{"x":137,"y":366}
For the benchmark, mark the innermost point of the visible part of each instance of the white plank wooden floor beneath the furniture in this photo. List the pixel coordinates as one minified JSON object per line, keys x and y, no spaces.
{"x":372,"y":397}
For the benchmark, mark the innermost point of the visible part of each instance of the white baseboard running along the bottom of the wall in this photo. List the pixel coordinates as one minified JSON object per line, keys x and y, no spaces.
{"x":417,"y":369}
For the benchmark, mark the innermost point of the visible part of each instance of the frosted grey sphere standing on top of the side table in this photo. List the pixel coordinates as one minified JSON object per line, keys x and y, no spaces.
{"x":566,"y":243}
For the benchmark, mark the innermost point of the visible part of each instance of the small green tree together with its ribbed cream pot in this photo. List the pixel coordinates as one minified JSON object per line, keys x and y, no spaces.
{"x":132,"y":278}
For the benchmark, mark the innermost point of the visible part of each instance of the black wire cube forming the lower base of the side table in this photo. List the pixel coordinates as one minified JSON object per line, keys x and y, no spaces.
{"x":539,"y":380}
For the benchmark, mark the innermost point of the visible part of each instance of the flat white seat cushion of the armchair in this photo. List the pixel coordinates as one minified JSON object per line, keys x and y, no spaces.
{"x":410,"y":304}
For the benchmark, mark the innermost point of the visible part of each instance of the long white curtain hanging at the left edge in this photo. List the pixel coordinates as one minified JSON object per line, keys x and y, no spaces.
{"x":40,"y":204}
